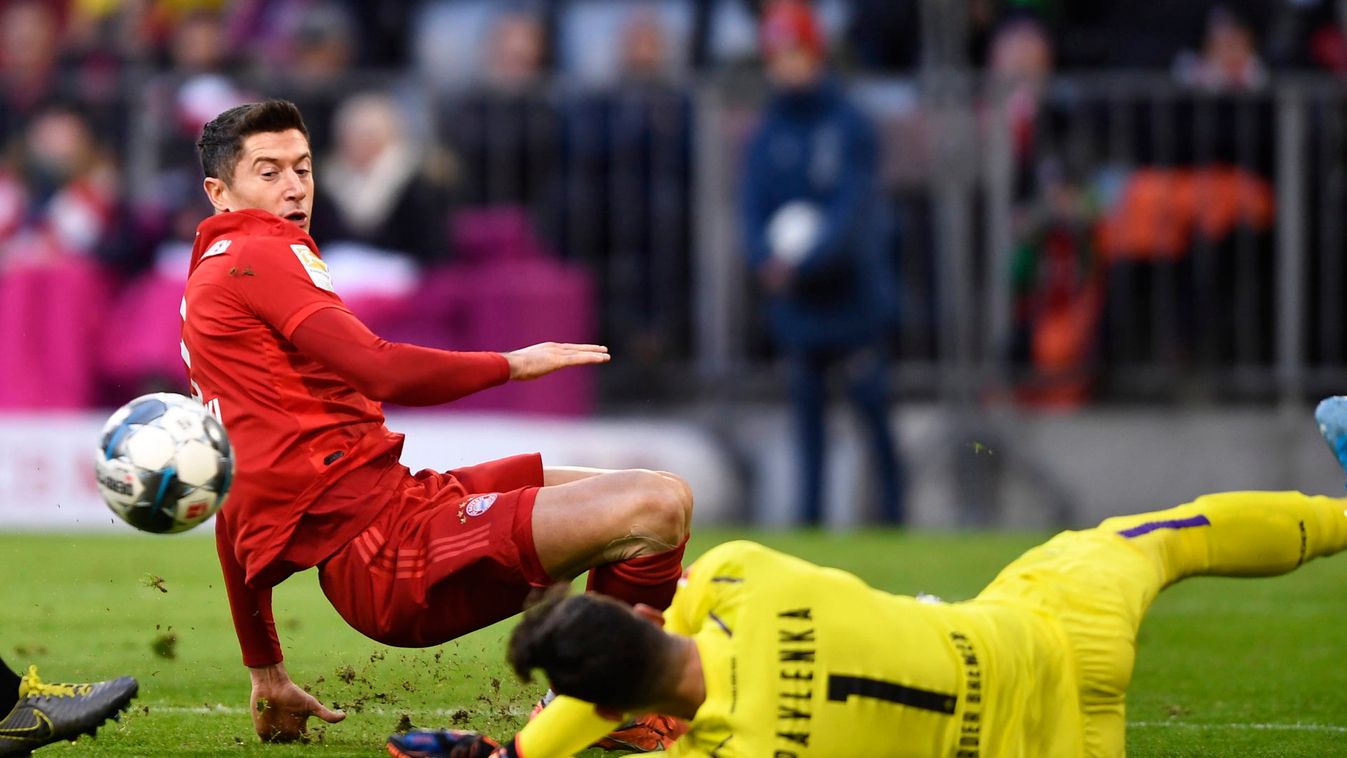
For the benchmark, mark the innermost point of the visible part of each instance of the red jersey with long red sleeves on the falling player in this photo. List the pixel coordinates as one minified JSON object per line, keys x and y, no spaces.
{"x":316,"y":464}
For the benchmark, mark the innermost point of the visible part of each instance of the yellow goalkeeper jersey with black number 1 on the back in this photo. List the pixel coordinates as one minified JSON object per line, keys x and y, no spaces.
{"x":810,"y":662}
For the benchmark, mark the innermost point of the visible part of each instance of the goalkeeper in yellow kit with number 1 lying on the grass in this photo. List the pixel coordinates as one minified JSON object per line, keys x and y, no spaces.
{"x":767,"y":655}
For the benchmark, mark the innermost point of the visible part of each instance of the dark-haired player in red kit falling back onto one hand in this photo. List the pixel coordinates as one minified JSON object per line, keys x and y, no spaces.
{"x":407,"y":559}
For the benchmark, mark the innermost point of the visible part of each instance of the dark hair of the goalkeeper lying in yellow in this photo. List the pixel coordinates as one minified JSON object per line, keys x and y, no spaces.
{"x":595,"y":648}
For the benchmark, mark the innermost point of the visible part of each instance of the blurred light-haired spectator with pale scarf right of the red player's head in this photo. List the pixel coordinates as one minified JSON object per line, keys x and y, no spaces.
{"x":381,"y":193}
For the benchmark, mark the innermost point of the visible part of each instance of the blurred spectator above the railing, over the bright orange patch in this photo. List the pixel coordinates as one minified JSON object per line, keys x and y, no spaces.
{"x":1229,"y":60}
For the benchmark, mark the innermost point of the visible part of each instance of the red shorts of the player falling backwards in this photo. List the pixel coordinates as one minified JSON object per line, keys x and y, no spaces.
{"x":451,"y":554}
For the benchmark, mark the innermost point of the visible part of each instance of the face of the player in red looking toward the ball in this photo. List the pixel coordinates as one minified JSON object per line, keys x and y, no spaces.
{"x":274,"y":174}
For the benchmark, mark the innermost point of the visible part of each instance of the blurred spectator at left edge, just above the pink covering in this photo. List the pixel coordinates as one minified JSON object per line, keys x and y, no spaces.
{"x":60,"y":199}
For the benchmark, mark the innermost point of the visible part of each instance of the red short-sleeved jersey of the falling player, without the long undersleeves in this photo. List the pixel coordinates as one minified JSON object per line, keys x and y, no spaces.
{"x":312,"y":452}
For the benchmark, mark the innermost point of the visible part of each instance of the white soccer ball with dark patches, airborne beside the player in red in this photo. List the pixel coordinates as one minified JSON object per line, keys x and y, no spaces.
{"x":164,"y":464}
